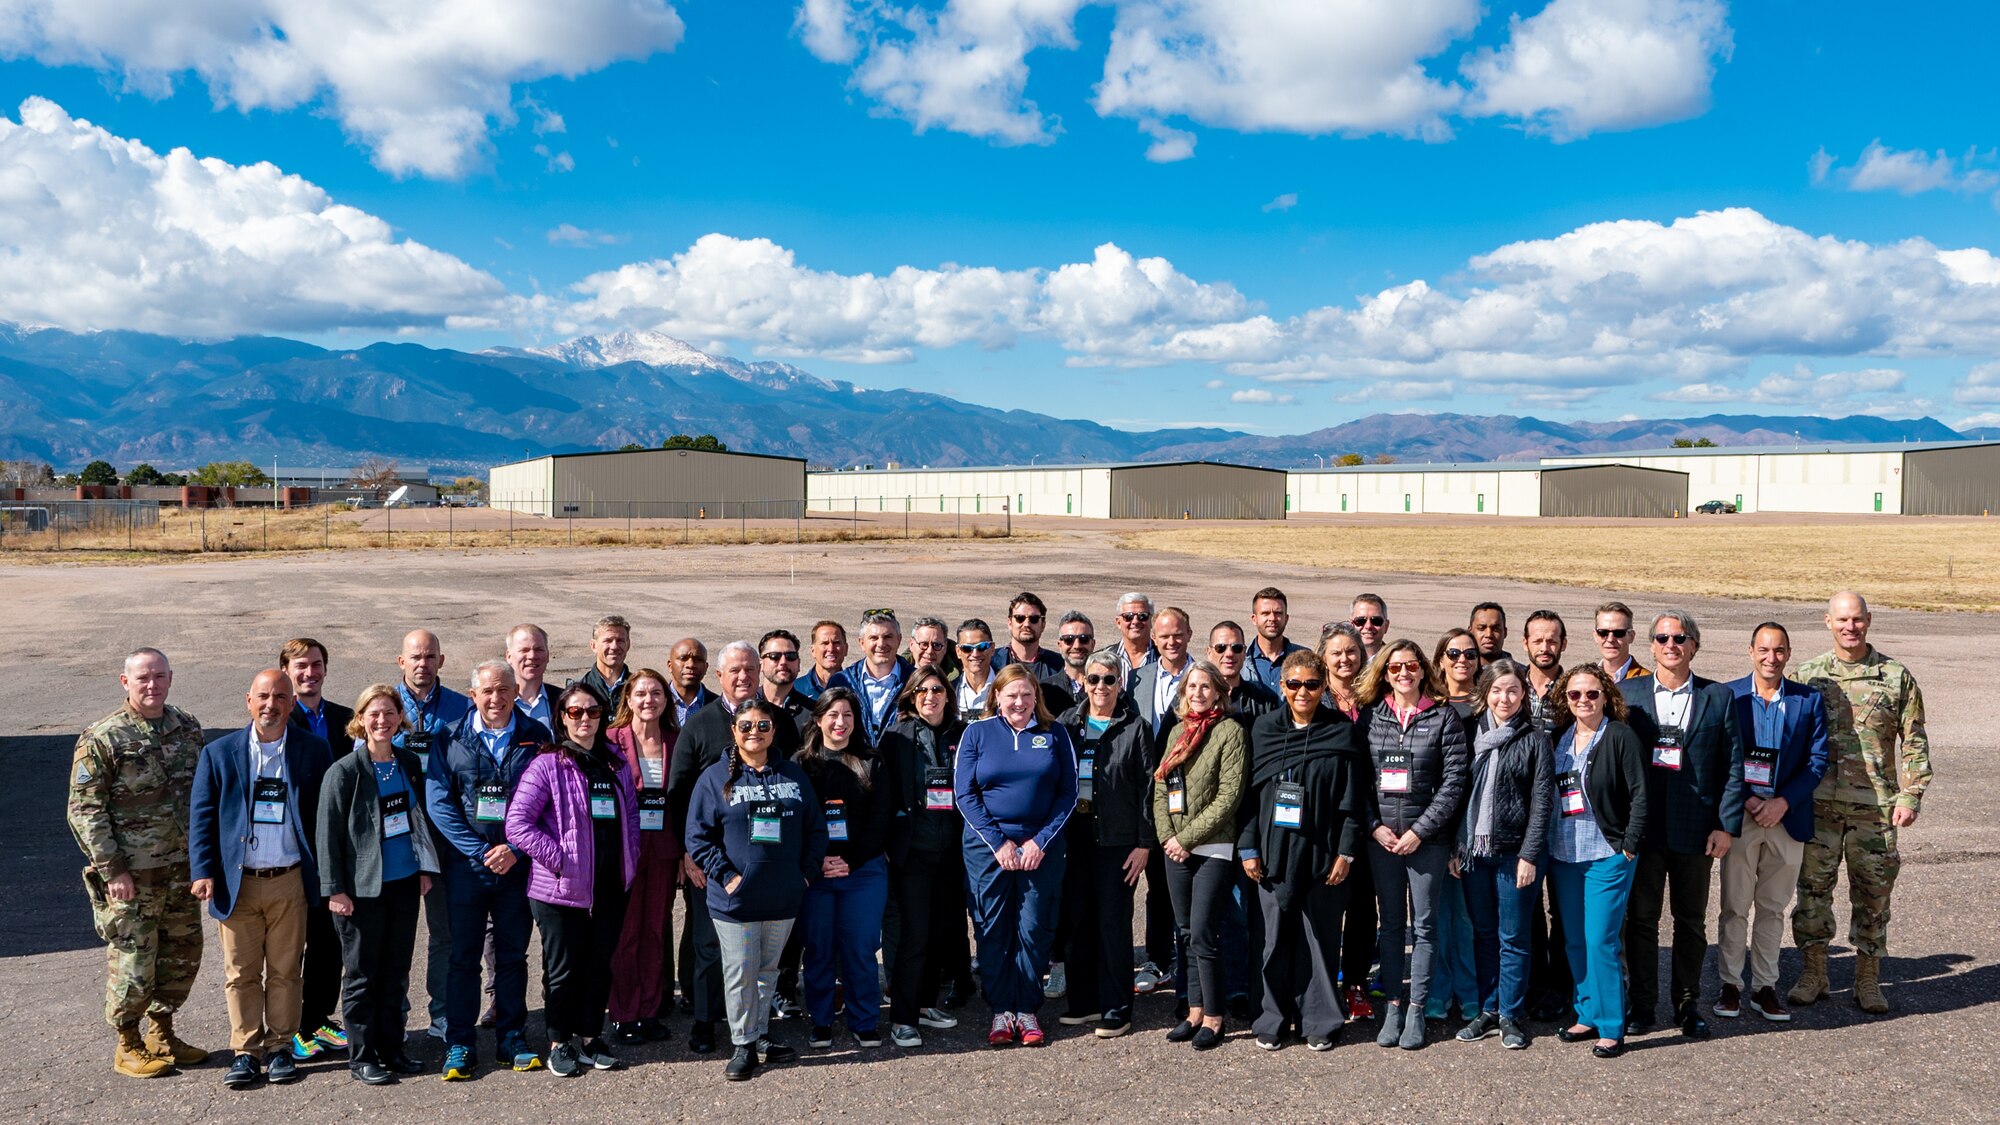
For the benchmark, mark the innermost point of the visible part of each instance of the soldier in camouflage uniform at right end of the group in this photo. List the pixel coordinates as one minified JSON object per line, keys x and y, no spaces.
{"x":1873,"y":788}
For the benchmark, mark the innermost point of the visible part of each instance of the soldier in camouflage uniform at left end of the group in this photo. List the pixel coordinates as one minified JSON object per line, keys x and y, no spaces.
{"x":129,"y":810}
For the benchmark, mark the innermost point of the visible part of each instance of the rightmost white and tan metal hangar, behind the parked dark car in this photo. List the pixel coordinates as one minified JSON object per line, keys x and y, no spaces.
{"x":1845,"y":479}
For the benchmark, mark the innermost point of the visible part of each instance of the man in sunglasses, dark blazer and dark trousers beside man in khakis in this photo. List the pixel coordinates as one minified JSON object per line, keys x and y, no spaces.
{"x":1695,"y":792}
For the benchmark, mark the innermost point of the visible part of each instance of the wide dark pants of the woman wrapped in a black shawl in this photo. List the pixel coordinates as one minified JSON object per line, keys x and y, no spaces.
{"x":1303,"y":960}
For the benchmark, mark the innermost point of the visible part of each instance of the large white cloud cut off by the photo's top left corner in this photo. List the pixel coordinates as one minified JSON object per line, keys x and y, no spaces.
{"x":421,"y":83}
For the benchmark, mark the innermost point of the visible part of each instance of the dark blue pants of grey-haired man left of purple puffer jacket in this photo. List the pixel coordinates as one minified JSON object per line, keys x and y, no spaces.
{"x":477,"y":902}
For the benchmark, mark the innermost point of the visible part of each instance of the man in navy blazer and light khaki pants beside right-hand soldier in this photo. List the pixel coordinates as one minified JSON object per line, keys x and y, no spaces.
{"x":1783,"y":730}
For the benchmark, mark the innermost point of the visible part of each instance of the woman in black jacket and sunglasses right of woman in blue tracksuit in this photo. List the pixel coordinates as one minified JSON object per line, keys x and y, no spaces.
{"x":1111,"y":840}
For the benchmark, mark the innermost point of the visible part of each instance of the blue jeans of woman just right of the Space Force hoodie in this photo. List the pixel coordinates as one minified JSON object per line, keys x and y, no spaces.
{"x":841,"y":924}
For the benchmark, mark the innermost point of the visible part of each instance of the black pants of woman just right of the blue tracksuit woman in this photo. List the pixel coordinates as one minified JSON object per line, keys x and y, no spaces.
{"x":1099,"y":906}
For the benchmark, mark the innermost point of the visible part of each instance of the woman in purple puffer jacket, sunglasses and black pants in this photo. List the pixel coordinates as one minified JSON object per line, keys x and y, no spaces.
{"x":577,"y":818}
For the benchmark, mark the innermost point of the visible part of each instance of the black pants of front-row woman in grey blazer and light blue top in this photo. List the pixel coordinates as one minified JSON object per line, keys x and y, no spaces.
{"x":377,"y":944}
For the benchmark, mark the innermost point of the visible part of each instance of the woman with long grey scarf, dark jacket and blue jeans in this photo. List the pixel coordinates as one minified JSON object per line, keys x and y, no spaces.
{"x":1503,"y":840}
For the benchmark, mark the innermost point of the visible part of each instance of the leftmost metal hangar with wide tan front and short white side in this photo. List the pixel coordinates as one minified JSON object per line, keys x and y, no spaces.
{"x":651,"y":483}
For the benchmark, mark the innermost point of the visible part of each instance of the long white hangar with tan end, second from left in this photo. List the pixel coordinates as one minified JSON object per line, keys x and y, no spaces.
{"x":1191,"y":489}
